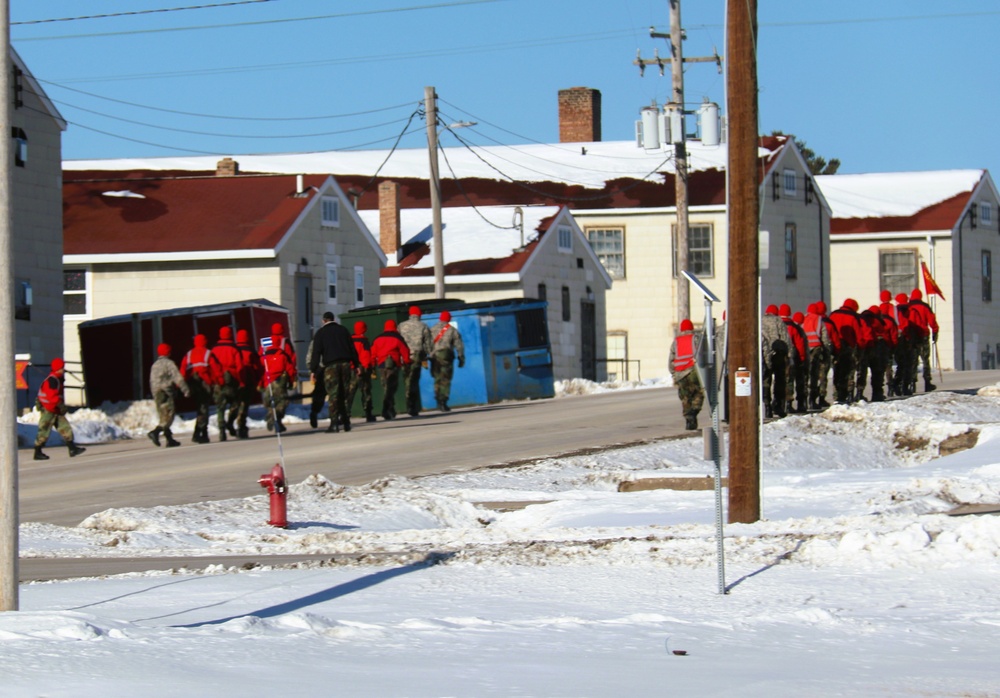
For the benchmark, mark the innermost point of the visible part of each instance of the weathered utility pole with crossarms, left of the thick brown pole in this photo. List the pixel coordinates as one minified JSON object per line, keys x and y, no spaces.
{"x":677,"y":61}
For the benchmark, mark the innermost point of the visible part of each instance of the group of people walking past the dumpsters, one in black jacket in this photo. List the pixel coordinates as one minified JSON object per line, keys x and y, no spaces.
{"x":229,"y":374}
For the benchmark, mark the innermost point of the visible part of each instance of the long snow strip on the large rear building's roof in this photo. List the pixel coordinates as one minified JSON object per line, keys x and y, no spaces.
{"x":586,"y":164}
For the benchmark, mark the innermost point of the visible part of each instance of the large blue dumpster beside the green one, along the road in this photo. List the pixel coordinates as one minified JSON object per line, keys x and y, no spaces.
{"x":508,"y":355}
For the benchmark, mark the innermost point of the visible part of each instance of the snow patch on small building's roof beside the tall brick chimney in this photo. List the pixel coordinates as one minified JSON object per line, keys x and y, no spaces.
{"x":465,"y":233}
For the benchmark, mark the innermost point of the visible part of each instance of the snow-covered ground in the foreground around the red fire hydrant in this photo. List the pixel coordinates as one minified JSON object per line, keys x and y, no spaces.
{"x":855,"y":583}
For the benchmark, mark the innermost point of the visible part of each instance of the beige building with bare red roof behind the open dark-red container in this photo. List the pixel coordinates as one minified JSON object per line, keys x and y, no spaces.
{"x":141,"y":241}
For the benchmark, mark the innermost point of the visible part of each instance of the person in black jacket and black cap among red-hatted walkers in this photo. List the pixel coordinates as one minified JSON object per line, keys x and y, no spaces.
{"x":334,"y":358}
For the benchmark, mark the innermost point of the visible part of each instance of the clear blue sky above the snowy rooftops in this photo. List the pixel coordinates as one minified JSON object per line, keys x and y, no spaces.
{"x":885,"y":86}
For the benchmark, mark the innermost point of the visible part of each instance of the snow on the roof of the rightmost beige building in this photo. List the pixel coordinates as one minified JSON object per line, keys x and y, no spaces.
{"x":886,"y":194}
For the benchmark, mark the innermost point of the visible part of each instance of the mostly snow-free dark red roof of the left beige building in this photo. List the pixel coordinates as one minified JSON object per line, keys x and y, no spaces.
{"x":190,"y":214}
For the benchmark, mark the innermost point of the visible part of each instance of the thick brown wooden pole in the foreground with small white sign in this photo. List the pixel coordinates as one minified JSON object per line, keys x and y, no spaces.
{"x":744,"y":221}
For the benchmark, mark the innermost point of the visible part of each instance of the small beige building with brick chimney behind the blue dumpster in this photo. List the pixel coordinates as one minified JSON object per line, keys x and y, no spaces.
{"x":494,"y":253}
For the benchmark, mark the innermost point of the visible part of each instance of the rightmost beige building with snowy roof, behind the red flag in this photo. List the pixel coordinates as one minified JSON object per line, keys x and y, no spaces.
{"x":887,"y":226}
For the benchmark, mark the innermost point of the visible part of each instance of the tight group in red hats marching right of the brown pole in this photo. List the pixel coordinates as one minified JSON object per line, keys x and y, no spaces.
{"x":883,"y":345}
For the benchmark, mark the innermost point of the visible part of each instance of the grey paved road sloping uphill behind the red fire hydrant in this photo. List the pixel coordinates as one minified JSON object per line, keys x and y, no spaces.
{"x":134,"y":473}
